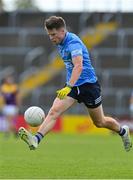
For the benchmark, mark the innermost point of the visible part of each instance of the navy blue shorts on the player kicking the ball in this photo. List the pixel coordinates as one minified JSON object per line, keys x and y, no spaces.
{"x":87,"y":93}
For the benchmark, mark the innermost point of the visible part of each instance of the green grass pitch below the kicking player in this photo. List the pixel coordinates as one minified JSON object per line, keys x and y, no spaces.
{"x":66,"y":156}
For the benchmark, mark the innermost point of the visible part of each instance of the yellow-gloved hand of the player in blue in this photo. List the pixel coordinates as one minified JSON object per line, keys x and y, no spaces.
{"x":62,"y":93}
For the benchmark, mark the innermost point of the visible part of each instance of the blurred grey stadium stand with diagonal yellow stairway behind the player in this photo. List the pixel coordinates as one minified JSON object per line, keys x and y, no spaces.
{"x":26,"y":51}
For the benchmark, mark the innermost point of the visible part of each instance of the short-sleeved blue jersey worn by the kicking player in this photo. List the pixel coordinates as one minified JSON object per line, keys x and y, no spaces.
{"x":71,"y":47}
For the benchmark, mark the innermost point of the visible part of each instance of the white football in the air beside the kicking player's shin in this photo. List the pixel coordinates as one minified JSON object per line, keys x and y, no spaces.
{"x":34,"y":116}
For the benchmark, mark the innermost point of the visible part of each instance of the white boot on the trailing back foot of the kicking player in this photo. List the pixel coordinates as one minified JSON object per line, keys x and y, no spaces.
{"x":126,"y":139}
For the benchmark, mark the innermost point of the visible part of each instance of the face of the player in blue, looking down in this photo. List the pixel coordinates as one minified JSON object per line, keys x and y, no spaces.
{"x":56,"y":35}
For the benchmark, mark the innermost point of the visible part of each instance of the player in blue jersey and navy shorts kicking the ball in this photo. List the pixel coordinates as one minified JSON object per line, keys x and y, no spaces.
{"x":82,"y":86}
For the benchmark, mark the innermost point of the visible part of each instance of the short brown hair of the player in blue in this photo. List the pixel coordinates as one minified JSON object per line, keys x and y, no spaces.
{"x":54,"y":22}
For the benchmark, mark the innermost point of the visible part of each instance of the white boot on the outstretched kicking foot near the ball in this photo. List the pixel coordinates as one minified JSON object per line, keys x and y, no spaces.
{"x":28,"y":138}
